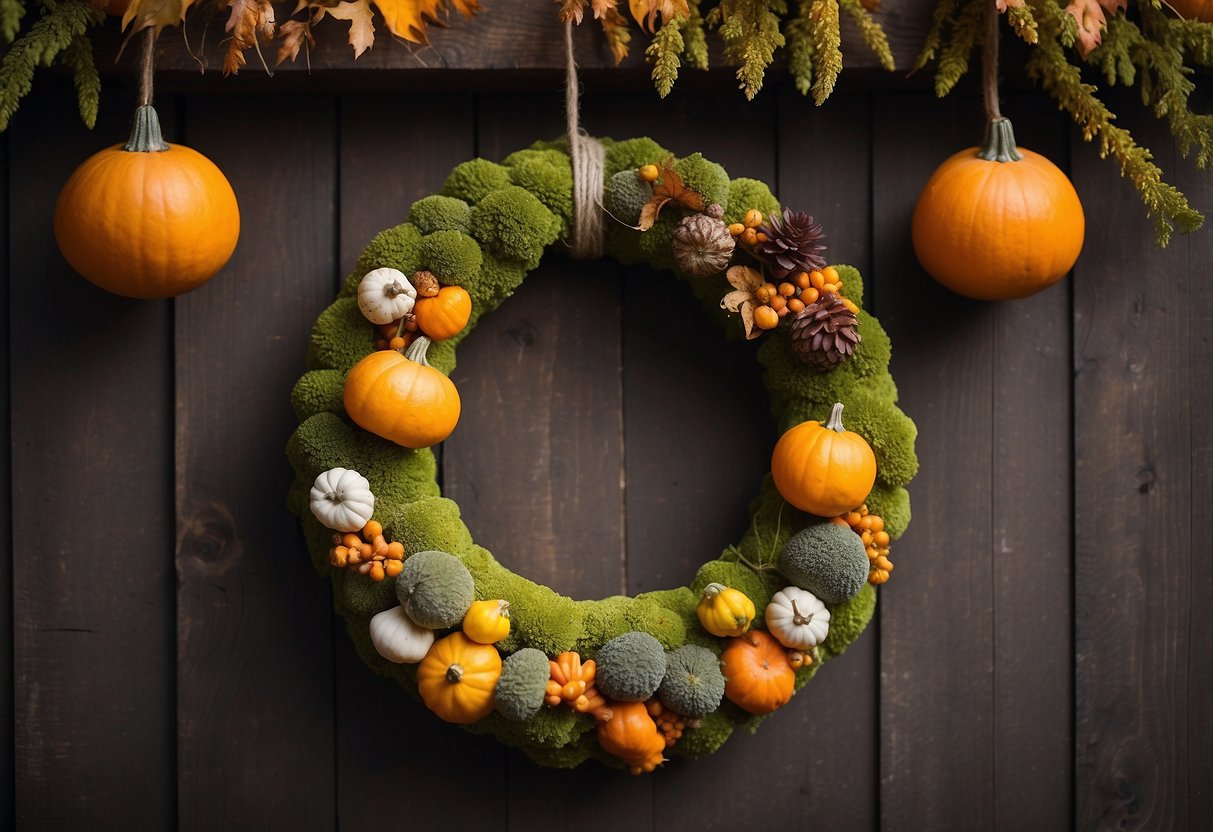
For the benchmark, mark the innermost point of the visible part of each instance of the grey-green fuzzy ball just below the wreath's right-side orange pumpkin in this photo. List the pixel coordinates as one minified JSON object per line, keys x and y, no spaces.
{"x":828,"y":560}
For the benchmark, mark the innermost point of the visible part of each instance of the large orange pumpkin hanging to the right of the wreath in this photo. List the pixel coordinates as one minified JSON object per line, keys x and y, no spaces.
{"x":999,"y":223}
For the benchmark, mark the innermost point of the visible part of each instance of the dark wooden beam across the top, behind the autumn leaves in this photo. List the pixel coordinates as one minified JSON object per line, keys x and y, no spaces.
{"x":510,"y":35}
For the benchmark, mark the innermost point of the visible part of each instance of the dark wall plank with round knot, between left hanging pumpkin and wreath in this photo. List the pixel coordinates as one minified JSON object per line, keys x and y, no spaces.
{"x":255,"y":666}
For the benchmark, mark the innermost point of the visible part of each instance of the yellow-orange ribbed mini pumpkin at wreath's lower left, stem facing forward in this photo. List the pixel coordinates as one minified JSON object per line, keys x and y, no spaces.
{"x":458,"y":677}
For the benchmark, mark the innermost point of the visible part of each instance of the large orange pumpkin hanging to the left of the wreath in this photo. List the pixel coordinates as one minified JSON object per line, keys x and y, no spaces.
{"x":149,"y":219}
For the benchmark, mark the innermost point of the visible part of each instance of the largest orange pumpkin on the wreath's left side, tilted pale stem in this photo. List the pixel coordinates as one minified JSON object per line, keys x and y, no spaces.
{"x":402,"y":398}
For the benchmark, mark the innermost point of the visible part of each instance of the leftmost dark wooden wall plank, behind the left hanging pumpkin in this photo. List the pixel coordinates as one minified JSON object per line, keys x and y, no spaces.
{"x":92,"y":414}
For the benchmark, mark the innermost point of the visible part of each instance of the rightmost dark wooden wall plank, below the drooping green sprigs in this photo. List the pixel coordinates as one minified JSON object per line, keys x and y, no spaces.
{"x":1142,"y":346}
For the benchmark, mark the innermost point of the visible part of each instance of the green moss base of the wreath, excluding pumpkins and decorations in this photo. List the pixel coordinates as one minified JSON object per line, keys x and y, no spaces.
{"x":485,"y":232}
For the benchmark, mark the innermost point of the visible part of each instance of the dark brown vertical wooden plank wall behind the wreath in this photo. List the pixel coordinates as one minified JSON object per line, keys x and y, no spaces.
{"x":1038,"y":663}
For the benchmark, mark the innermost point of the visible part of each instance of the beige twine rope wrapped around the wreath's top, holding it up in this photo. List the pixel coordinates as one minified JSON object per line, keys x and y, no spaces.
{"x":588,"y":156}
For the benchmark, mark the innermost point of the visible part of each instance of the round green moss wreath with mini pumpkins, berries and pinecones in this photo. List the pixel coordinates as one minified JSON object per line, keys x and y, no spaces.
{"x":646,"y":680}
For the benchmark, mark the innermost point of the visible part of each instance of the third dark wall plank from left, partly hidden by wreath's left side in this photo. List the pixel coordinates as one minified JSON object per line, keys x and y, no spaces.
{"x":434,"y":135}
